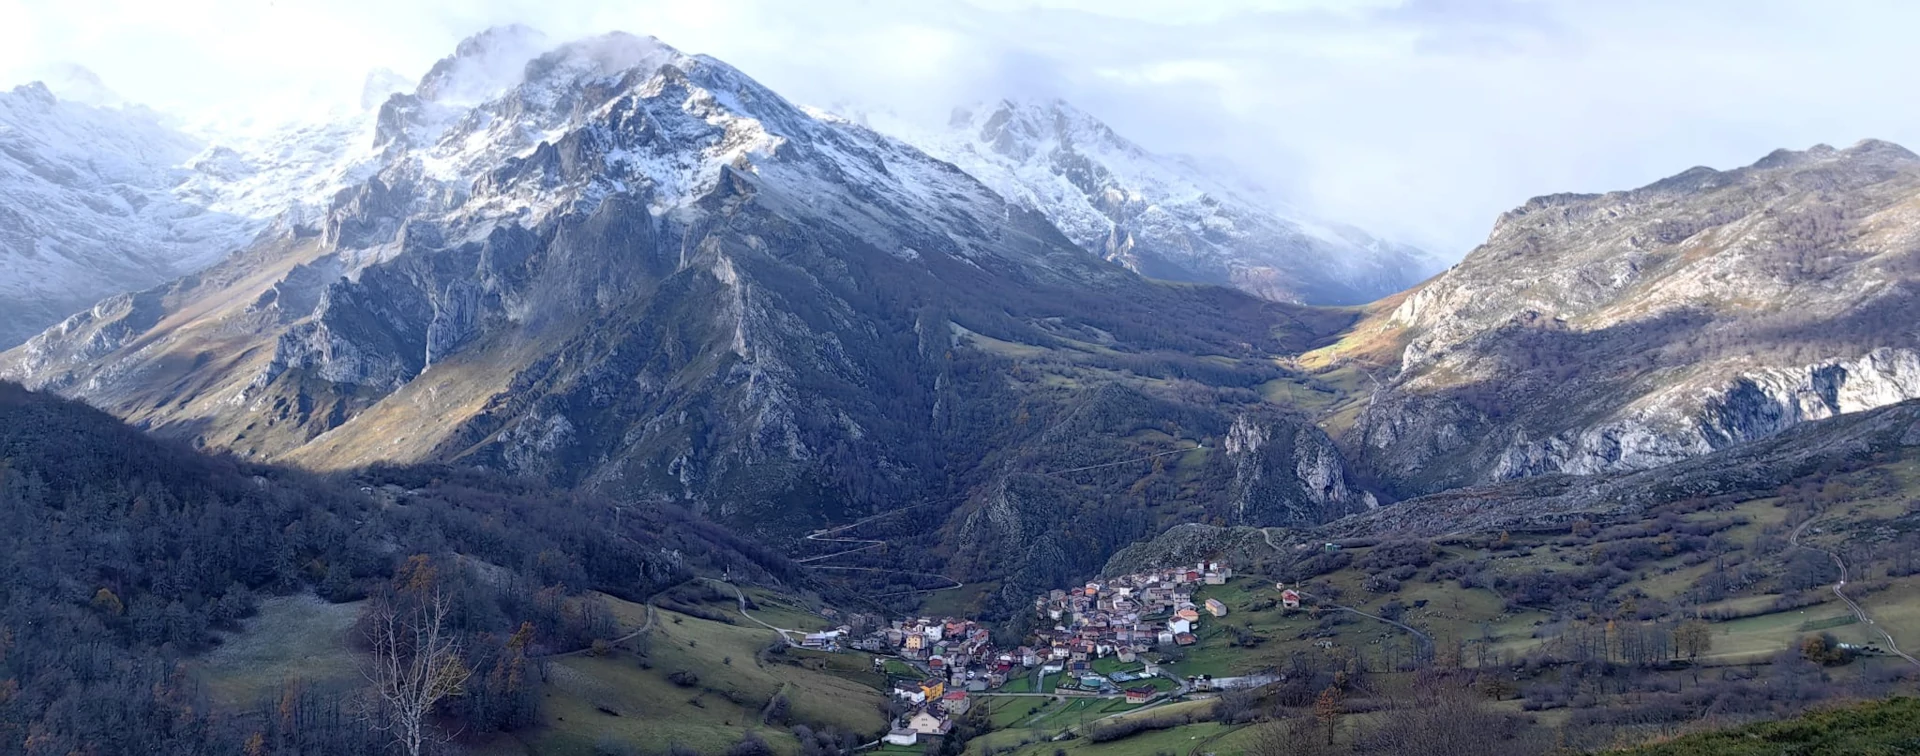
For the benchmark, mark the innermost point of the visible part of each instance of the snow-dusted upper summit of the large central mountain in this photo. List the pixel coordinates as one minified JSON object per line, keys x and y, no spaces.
{"x":475,"y":147}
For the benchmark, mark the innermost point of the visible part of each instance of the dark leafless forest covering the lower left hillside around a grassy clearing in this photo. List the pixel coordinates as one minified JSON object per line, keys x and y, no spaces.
{"x":126,"y":555}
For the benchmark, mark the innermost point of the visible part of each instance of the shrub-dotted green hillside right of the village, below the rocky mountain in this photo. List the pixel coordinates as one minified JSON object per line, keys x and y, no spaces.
{"x":1591,"y":632}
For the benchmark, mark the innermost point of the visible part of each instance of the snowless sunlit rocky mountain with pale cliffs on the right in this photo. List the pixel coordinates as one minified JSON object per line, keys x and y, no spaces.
{"x":1637,"y":329}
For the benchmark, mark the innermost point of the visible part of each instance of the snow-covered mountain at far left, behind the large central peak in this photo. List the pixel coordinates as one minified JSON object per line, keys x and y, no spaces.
{"x":101,"y":197}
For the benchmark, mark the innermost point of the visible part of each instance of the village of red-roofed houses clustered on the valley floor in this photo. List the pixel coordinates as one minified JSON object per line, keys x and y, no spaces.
{"x":1101,"y":640}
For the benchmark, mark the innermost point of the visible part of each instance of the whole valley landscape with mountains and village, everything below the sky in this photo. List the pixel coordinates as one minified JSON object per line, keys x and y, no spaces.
{"x":594,"y":398}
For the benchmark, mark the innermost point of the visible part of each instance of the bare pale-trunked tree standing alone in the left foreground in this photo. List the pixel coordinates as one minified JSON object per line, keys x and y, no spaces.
{"x":416,"y":663}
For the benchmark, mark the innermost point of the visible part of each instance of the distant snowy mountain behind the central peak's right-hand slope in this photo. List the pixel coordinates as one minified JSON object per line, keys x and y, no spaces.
{"x":1161,"y":216}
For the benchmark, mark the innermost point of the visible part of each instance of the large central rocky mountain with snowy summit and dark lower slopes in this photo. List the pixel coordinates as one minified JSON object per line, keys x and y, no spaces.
{"x":619,"y":268}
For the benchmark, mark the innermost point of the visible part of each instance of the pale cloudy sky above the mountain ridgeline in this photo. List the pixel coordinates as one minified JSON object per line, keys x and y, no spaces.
{"x":1420,"y":120}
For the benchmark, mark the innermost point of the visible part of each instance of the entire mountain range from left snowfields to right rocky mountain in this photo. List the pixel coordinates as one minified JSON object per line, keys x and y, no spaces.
{"x":617,"y":268}
